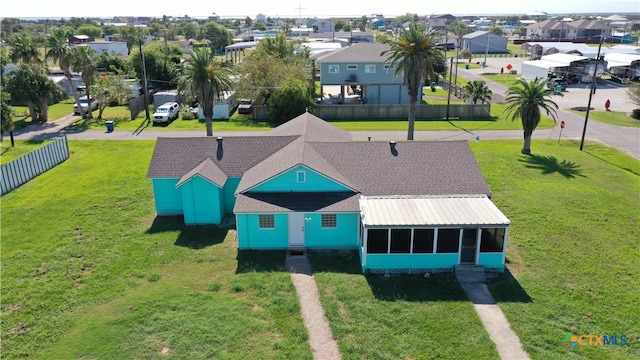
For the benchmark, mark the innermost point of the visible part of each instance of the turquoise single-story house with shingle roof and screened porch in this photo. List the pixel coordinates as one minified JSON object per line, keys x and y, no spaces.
{"x":405,"y":207}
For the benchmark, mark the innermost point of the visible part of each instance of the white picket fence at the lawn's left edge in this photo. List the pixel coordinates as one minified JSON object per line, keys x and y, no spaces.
{"x":32,"y":164}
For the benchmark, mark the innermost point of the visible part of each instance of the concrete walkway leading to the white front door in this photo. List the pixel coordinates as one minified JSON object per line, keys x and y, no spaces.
{"x":320,"y":338}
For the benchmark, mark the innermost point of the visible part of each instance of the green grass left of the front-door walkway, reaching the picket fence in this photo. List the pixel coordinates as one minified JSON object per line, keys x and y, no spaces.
{"x":89,"y":272}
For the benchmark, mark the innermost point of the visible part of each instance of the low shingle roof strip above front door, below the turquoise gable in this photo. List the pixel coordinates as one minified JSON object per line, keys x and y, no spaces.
{"x":298,"y":202}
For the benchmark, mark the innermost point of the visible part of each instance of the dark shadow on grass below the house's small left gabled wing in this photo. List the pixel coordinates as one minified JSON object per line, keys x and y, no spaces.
{"x":193,"y":237}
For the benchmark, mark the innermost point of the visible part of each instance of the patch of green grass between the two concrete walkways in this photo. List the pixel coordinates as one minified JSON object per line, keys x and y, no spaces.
{"x":404,"y":317}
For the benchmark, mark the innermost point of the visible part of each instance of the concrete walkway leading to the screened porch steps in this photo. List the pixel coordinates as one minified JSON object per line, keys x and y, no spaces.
{"x":494,"y":321}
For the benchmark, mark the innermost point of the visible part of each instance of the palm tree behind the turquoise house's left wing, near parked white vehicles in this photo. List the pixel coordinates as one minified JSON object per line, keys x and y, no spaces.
{"x":206,"y":79}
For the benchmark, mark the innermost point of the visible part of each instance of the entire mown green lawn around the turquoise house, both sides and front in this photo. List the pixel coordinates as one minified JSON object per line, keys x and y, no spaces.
{"x":90,"y":272}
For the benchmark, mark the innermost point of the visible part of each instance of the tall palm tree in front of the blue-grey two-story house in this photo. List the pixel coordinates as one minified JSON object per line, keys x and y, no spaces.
{"x":413,"y":54}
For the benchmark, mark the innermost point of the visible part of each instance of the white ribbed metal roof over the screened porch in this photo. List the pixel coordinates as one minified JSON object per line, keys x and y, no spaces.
{"x":430,"y":211}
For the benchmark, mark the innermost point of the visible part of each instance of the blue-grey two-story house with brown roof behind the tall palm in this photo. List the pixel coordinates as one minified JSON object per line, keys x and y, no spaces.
{"x":361,"y":68}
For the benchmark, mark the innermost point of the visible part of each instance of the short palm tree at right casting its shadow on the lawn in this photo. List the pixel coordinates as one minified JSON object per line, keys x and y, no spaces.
{"x":524,"y":100}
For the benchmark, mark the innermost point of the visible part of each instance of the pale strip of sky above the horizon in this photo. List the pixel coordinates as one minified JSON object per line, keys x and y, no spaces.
{"x":307,"y":9}
